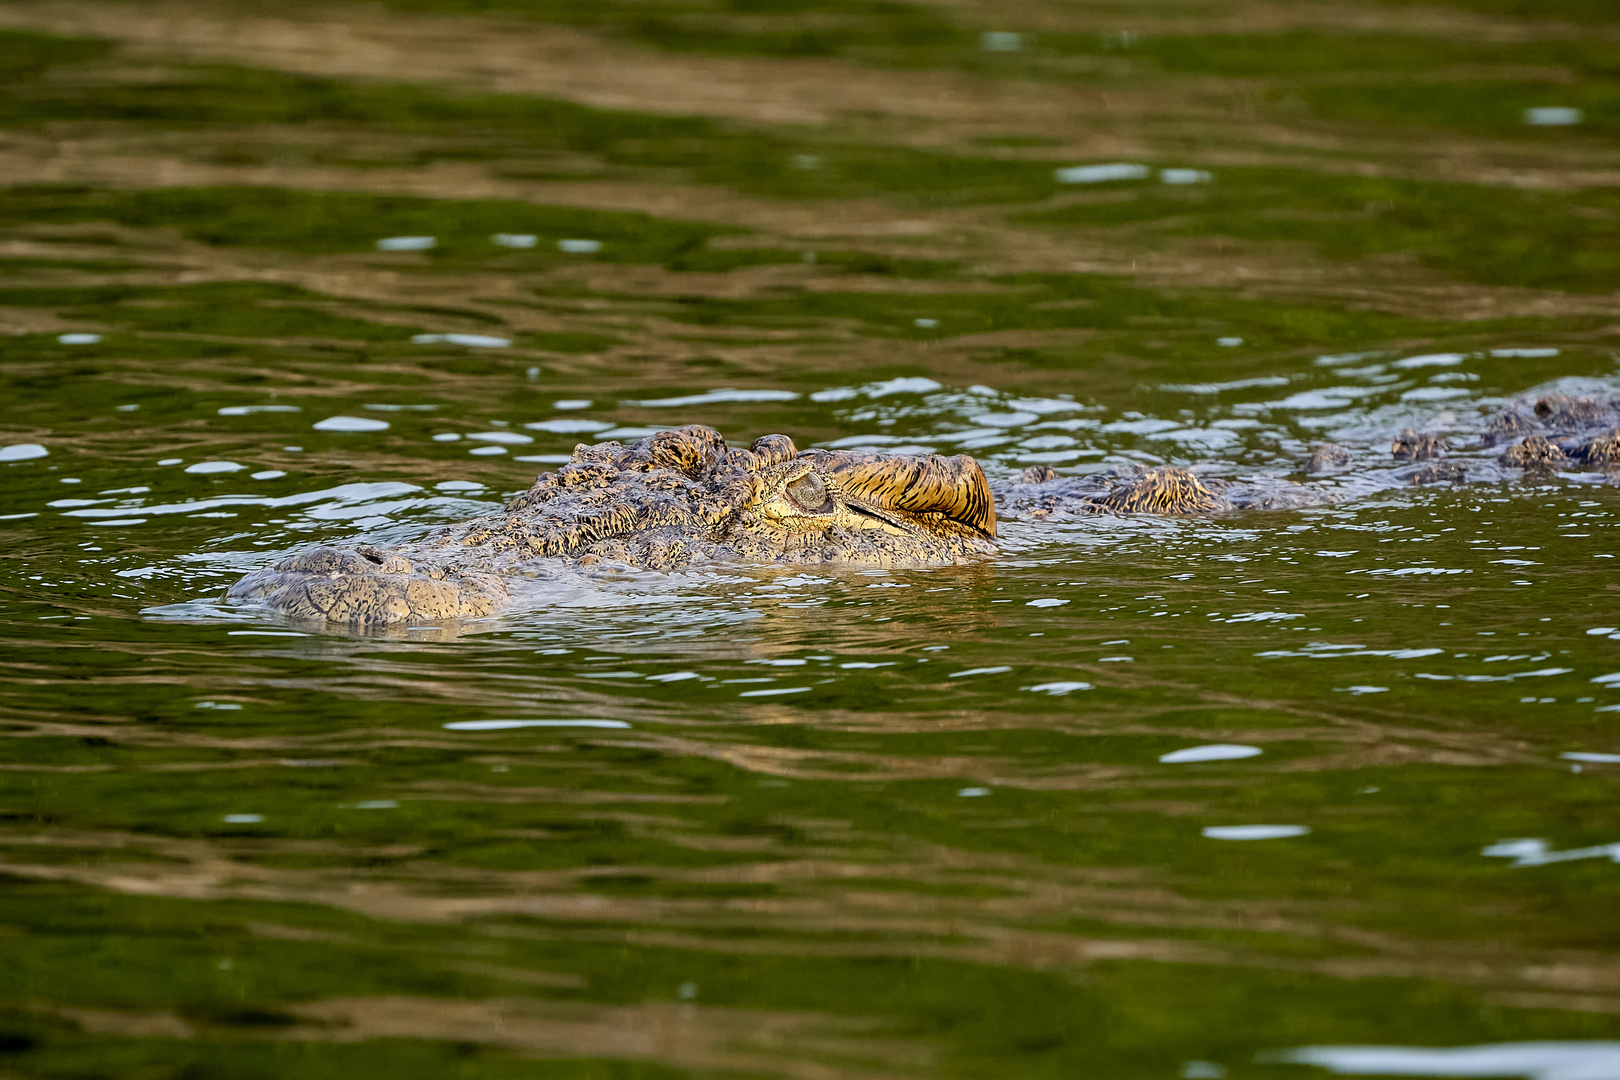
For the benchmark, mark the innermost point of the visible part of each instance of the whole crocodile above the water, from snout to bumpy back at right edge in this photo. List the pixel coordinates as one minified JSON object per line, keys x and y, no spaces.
{"x":686,"y":498}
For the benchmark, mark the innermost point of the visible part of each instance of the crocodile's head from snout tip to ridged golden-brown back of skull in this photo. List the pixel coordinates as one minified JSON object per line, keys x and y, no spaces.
{"x":676,"y":498}
